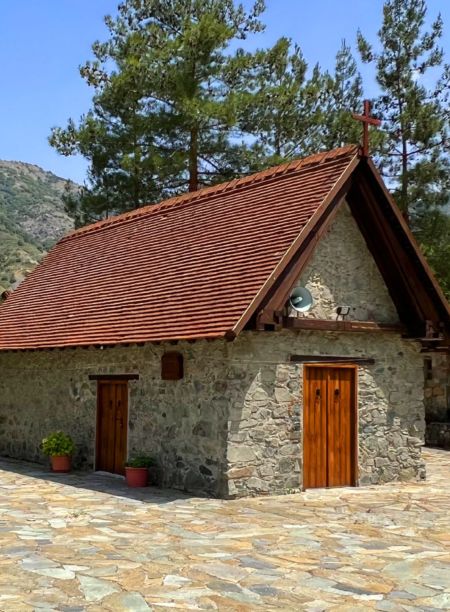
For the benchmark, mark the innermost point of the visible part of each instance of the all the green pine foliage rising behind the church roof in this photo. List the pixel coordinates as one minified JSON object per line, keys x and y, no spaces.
{"x":178,"y":105}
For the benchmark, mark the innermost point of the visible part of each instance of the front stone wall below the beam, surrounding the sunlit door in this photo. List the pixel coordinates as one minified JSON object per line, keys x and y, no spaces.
{"x":265,"y":431}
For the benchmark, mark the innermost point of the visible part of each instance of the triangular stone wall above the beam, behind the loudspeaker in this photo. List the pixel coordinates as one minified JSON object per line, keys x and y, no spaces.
{"x":342,"y":272}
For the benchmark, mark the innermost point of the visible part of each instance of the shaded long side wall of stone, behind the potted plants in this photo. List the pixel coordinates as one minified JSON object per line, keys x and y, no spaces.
{"x":182,"y":423}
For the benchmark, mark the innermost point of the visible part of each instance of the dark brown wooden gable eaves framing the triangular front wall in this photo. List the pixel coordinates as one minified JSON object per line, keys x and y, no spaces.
{"x":420,"y":303}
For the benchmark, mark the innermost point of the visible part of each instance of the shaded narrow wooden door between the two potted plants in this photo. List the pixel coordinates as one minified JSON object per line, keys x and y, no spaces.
{"x":112,"y":425}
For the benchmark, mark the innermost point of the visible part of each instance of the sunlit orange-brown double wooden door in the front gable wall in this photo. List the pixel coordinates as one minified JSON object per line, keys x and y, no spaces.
{"x":329,"y":426}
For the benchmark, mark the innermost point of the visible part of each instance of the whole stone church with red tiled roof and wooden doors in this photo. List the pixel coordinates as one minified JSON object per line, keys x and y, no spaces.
{"x":262,"y":336}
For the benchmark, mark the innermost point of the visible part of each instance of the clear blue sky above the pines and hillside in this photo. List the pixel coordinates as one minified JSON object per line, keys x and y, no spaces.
{"x":42,"y":43}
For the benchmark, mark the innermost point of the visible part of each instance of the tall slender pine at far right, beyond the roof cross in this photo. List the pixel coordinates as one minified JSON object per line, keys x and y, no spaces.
{"x":414,"y":153}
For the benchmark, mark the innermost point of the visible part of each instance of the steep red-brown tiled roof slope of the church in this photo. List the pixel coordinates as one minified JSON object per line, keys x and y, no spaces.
{"x":191,"y":267}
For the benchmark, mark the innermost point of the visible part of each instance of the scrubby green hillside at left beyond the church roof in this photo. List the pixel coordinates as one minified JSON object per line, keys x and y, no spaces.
{"x":32,"y":218}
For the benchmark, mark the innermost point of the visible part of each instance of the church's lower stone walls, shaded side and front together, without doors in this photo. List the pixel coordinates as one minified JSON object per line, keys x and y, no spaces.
{"x":233,"y":425}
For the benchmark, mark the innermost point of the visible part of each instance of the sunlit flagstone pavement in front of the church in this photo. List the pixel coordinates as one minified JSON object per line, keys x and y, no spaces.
{"x":85,"y":542}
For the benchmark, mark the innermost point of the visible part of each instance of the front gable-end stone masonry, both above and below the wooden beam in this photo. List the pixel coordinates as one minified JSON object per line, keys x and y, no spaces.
{"x":265,"y":447}
